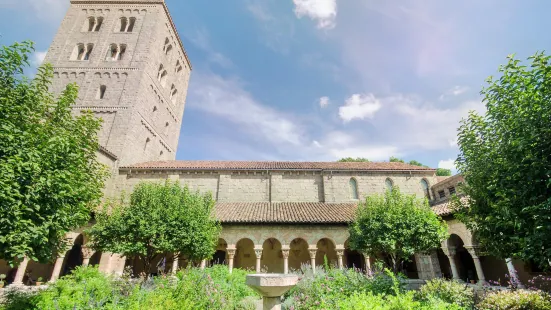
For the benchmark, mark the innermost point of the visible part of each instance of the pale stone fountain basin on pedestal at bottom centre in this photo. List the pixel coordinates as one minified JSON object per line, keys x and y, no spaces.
{"x":271,"y":286}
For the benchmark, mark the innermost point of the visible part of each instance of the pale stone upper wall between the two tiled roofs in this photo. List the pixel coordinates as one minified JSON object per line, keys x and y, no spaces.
{"x":278,"y":186}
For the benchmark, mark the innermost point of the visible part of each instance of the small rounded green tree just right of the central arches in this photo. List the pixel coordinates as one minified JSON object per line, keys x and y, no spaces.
{"x":396,"y":226}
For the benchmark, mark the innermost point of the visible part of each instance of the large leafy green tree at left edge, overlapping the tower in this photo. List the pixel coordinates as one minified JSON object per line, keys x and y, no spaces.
{"x":50,"y":178}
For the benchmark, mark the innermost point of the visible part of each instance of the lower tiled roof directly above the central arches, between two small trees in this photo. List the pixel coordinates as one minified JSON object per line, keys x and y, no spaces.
{"x":285,"y":212}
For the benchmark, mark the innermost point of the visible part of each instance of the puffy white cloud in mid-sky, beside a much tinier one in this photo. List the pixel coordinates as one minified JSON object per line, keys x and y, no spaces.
{"x":359,"y":106}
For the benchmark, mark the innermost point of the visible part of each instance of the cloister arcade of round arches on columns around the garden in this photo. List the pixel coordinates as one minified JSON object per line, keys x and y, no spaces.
{"x":283,"y":249}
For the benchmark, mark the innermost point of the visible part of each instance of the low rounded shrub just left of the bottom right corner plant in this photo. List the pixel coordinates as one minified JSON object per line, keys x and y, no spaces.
{"x":447,"y":291}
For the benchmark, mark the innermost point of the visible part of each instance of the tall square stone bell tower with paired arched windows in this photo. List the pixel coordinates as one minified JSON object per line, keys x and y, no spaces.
{"x":132,"y":70}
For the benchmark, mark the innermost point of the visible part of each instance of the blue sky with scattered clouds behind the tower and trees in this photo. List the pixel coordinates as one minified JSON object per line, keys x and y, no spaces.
{"x":325,"y":79}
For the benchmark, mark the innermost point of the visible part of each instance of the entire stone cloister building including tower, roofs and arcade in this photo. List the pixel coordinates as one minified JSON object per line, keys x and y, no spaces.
{"x":133,"y":72}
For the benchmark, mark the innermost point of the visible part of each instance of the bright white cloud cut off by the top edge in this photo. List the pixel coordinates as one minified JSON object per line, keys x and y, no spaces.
{"x":324,"y":11}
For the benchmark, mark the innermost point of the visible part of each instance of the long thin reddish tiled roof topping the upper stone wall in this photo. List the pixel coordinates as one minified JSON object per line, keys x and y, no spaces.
{"x":274,"y":165}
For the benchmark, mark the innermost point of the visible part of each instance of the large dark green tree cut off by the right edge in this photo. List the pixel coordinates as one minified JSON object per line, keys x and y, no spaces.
{"x":505,"y":157}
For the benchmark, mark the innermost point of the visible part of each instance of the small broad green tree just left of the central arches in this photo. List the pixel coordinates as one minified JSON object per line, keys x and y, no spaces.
{"x":157,"y":219}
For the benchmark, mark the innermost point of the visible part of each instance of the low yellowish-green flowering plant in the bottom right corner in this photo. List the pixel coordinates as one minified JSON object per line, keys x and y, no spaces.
{"x":516,"y":300}
